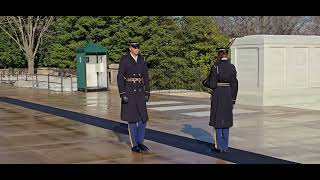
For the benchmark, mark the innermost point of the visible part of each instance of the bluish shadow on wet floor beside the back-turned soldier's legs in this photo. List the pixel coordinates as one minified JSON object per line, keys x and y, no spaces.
{"x":198,"y":133}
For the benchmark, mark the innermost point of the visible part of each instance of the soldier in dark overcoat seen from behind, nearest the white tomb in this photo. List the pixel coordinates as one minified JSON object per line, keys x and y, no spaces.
{"x":223,"y":81}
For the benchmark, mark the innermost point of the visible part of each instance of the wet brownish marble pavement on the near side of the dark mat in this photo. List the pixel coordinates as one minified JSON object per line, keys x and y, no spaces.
{"x":28,"y":136}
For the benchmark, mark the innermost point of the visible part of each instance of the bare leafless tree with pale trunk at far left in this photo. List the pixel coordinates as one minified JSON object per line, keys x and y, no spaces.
{"x":27,"y":32}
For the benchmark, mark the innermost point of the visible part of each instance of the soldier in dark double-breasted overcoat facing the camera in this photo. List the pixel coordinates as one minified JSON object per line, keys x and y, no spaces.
{"x":133,"y":85}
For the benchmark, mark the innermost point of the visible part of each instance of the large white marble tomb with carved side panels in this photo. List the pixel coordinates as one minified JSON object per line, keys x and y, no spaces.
{"x":277,"y":69}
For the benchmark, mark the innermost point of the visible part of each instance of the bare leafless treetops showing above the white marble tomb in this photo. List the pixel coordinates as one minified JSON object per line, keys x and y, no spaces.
{"x":238,"y":26}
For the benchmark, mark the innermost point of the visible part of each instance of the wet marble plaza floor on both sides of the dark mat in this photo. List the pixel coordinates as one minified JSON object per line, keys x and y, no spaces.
{"x":31,"y":136}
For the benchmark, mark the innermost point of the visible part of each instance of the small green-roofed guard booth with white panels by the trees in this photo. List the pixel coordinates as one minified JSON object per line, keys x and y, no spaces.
{"x":92,"y":67}
